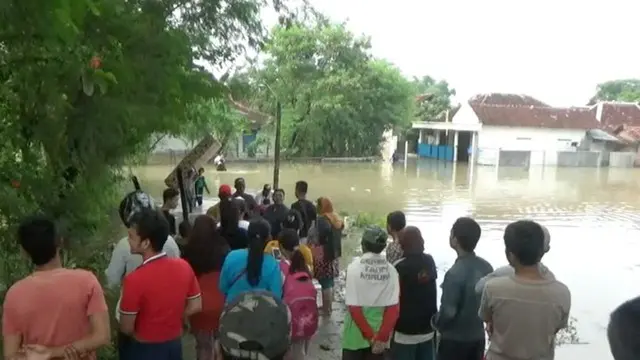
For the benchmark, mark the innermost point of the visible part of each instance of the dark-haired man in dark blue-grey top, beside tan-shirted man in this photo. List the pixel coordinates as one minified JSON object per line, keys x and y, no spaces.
{"x":461,"y":330}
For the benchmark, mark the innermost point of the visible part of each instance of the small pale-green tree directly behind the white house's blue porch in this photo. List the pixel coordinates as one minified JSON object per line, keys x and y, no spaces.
{"x":433,"y":98}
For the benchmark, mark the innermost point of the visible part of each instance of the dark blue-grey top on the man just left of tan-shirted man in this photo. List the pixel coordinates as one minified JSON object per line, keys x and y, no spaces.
{"x":458,"y":316}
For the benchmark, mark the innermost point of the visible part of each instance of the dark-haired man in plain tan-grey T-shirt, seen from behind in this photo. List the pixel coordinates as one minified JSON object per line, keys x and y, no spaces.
{"x":524,"y":311}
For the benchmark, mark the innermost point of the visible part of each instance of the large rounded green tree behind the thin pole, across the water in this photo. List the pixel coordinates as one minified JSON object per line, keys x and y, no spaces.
{"x":337,"y":100}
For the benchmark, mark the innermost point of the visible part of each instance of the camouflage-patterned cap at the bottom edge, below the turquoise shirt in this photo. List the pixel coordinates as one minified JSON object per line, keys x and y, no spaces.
{"x":255,"y":325}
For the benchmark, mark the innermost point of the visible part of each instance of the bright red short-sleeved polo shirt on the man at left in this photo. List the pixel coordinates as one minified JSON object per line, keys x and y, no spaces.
{"x":156,"y":293}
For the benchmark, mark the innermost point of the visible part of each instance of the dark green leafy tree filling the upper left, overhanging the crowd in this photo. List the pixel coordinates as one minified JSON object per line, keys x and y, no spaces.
{"x":85,"y":85}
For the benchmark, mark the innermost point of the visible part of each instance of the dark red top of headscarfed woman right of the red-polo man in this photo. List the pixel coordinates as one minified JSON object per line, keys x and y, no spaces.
{"x":212,"y":303}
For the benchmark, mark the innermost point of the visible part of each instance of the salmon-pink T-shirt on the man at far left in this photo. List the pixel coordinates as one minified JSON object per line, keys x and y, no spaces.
{"x":52,"y":308}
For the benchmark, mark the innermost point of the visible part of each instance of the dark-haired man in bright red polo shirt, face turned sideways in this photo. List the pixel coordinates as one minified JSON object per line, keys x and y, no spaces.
{"x":152,"y":311}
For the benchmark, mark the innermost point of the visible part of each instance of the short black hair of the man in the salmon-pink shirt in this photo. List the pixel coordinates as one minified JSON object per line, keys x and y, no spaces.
{"x":39,"y":238}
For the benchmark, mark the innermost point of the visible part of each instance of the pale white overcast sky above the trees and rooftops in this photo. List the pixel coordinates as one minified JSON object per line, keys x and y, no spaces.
{"x":555,"y":50}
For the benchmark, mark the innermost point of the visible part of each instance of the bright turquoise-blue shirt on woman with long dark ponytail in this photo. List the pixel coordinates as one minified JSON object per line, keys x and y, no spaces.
{"x":233,"y":278}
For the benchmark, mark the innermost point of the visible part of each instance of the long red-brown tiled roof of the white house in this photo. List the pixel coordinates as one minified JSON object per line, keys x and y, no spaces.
{"x":534,"y":116}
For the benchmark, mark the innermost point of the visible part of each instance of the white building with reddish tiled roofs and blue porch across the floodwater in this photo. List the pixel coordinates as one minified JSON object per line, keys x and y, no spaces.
{"x":518,"y":130}
